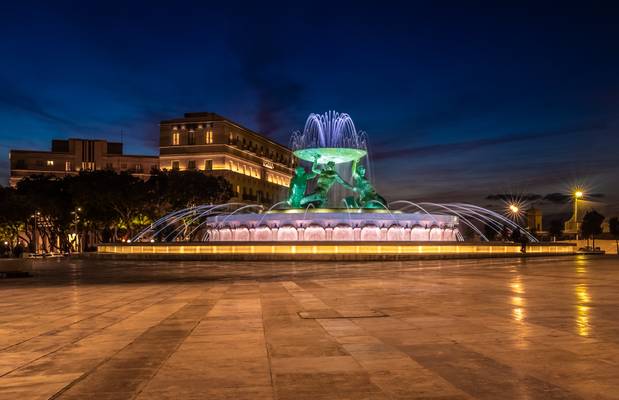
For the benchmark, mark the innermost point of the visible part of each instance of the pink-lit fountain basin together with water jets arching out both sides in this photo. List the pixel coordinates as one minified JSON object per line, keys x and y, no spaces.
{"x":238,"y":222}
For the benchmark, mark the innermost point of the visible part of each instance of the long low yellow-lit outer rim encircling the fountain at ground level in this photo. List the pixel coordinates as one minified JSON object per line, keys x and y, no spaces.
{"x":327,"y":250}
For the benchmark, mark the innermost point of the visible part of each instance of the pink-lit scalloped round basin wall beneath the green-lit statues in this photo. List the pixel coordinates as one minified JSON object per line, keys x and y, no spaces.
{"x":332,"y":225}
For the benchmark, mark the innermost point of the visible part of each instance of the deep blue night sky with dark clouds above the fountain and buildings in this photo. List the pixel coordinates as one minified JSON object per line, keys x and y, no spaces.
{"x":459,"y":101}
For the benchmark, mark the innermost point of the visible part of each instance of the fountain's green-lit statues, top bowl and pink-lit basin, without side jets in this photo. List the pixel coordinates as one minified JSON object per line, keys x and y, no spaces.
{"x":317,"y":209}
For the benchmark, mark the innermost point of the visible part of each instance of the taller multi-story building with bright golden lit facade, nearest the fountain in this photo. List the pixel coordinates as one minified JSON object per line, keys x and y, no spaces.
{"x":258,"y":168}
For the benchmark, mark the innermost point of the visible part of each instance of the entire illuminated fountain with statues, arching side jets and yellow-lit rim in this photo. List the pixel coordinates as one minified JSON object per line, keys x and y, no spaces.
{"x":331,"y":202}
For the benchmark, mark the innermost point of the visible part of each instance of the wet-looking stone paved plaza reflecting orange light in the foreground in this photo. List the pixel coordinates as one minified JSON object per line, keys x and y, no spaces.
{"x":540,"y":328}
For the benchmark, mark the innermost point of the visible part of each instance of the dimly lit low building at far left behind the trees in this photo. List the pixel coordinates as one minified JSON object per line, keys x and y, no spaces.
{"x":73,"y":155}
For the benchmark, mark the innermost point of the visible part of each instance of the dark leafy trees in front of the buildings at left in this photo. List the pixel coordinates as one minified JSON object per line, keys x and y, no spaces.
{"x":98,"y":206}
